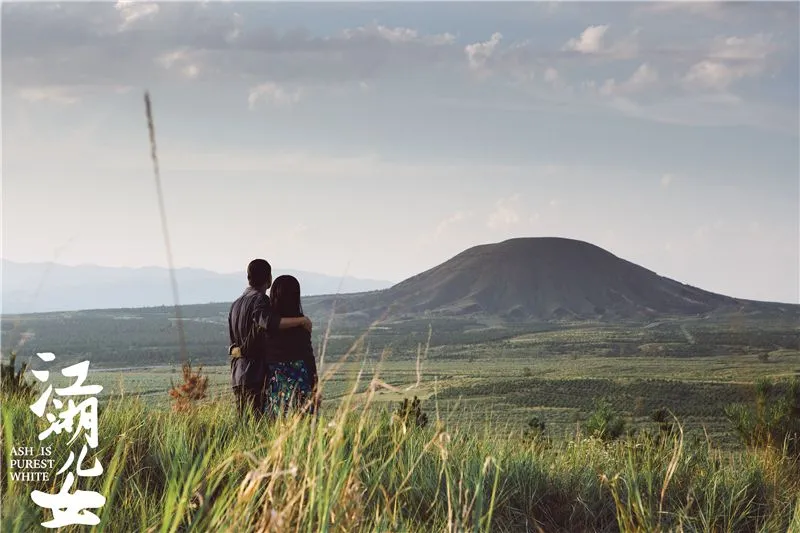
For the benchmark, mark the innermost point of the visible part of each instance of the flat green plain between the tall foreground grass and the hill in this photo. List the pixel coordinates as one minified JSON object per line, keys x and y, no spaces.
{"x":465,"y":371}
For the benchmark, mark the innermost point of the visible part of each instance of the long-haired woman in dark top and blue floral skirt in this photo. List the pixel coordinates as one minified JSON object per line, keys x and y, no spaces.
{"x":293,"y":382}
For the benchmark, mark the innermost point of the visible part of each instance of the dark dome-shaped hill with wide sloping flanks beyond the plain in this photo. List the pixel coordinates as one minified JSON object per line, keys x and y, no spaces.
{"x":544,"y":279}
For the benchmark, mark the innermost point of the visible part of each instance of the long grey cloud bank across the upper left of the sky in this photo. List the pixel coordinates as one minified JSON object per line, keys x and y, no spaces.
{"x":81,"y":44}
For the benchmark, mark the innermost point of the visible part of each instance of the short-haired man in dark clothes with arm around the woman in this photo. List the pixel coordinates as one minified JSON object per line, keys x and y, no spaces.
{"x":250,"y":320}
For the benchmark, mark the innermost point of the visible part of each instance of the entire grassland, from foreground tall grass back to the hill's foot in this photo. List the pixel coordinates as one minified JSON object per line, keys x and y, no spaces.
{"x":471,"y":468}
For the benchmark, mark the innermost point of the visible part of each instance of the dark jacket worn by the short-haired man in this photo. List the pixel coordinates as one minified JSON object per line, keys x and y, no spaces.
{"x":250,"y":321}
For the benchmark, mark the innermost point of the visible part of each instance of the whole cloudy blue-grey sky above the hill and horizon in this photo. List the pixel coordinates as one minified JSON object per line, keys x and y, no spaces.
{"x":378,"y":140}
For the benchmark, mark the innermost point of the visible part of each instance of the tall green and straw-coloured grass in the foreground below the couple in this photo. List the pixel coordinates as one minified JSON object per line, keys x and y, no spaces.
{"x":361,"y":469}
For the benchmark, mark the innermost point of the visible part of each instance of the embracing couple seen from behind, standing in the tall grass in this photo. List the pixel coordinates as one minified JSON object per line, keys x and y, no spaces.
{"x":272,"y":359}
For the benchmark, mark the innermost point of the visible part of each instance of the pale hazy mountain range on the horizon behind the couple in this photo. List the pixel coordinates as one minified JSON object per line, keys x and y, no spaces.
{"x":43,"y":287}
